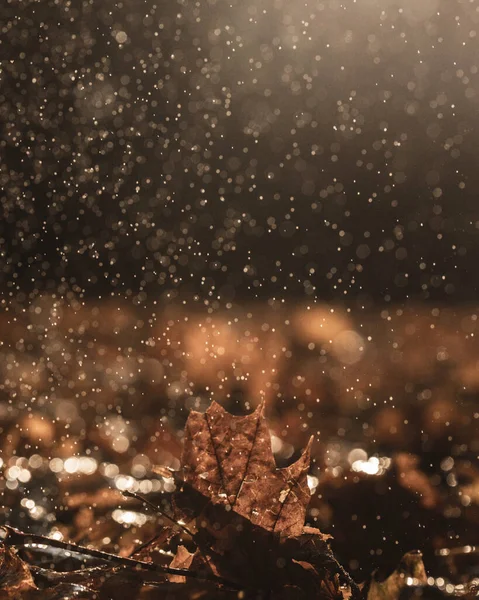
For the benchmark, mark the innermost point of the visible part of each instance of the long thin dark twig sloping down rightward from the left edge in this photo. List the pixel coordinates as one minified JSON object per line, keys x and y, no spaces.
{"x":14,"y":537}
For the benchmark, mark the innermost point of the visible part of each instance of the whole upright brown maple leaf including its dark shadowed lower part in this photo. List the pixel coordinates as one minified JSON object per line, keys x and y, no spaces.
{"x":248,"y":514}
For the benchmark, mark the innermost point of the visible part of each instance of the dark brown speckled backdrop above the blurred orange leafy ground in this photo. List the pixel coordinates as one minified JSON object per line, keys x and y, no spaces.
{"x":236,"y":150}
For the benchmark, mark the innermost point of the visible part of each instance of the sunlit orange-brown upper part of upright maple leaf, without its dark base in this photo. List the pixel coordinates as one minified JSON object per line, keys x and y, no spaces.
{"x":229,"y":460}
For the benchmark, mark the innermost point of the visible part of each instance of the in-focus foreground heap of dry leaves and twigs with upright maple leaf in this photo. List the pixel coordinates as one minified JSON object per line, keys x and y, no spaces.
{"x":236,"y":529}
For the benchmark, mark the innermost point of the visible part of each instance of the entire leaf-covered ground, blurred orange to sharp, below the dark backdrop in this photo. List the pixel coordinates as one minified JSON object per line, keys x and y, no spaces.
{"x":331,"y":465}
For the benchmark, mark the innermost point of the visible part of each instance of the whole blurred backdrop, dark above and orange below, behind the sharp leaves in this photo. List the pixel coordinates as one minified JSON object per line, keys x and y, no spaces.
{"x":247,"y":200}
